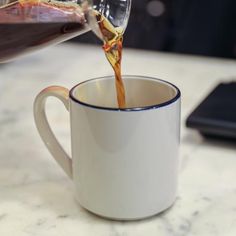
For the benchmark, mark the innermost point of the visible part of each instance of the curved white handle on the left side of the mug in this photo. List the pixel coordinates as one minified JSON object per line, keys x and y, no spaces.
{"x":44,"y":129}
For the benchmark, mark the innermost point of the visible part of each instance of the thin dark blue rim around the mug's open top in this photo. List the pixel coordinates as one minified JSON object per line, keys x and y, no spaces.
{"x":151,"y":107}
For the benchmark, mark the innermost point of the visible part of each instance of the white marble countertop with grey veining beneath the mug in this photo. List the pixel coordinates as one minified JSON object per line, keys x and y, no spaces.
{"x":36,"y":198}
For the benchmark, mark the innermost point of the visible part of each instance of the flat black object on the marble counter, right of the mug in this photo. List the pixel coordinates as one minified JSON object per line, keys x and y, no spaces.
{"x":216,"y":115}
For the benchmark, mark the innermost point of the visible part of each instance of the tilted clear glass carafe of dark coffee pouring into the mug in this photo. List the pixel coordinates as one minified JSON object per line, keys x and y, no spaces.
{"x":28,"y":25}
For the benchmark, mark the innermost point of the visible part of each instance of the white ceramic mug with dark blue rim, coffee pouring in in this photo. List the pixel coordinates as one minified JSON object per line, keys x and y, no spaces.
{"x":124,"y":162}
